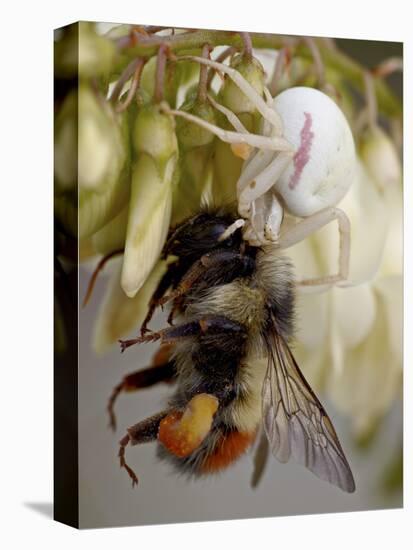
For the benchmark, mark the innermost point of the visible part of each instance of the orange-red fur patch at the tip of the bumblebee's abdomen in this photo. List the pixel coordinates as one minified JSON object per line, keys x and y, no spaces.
{"x":227,"y":451}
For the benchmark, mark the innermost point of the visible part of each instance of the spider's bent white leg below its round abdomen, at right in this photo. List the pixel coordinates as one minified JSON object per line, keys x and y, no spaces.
{"x":310,"y":225}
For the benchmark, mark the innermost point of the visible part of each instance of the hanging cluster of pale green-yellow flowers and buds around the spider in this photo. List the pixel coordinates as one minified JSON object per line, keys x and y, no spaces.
{"x":131,"y":163}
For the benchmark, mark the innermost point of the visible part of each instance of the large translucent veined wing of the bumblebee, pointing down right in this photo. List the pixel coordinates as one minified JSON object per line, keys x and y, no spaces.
{"x":296,"y":423}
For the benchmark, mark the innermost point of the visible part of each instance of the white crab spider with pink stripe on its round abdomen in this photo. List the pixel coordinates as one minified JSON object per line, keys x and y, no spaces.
{"x":304,"y":163}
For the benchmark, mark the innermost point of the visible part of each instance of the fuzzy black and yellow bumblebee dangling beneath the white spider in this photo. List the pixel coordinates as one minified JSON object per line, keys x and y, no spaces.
{"x":227,"y":351}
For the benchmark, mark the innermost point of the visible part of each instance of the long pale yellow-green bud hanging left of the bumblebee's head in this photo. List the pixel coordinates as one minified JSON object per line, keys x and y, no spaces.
{"x":151,"y":195}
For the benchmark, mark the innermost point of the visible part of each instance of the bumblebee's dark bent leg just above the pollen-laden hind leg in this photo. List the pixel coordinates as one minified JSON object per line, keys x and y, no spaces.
{"x":140,"y":379}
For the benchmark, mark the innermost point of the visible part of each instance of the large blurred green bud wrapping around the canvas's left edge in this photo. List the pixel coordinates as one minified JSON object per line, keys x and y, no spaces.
{"x":95,"y":147}
